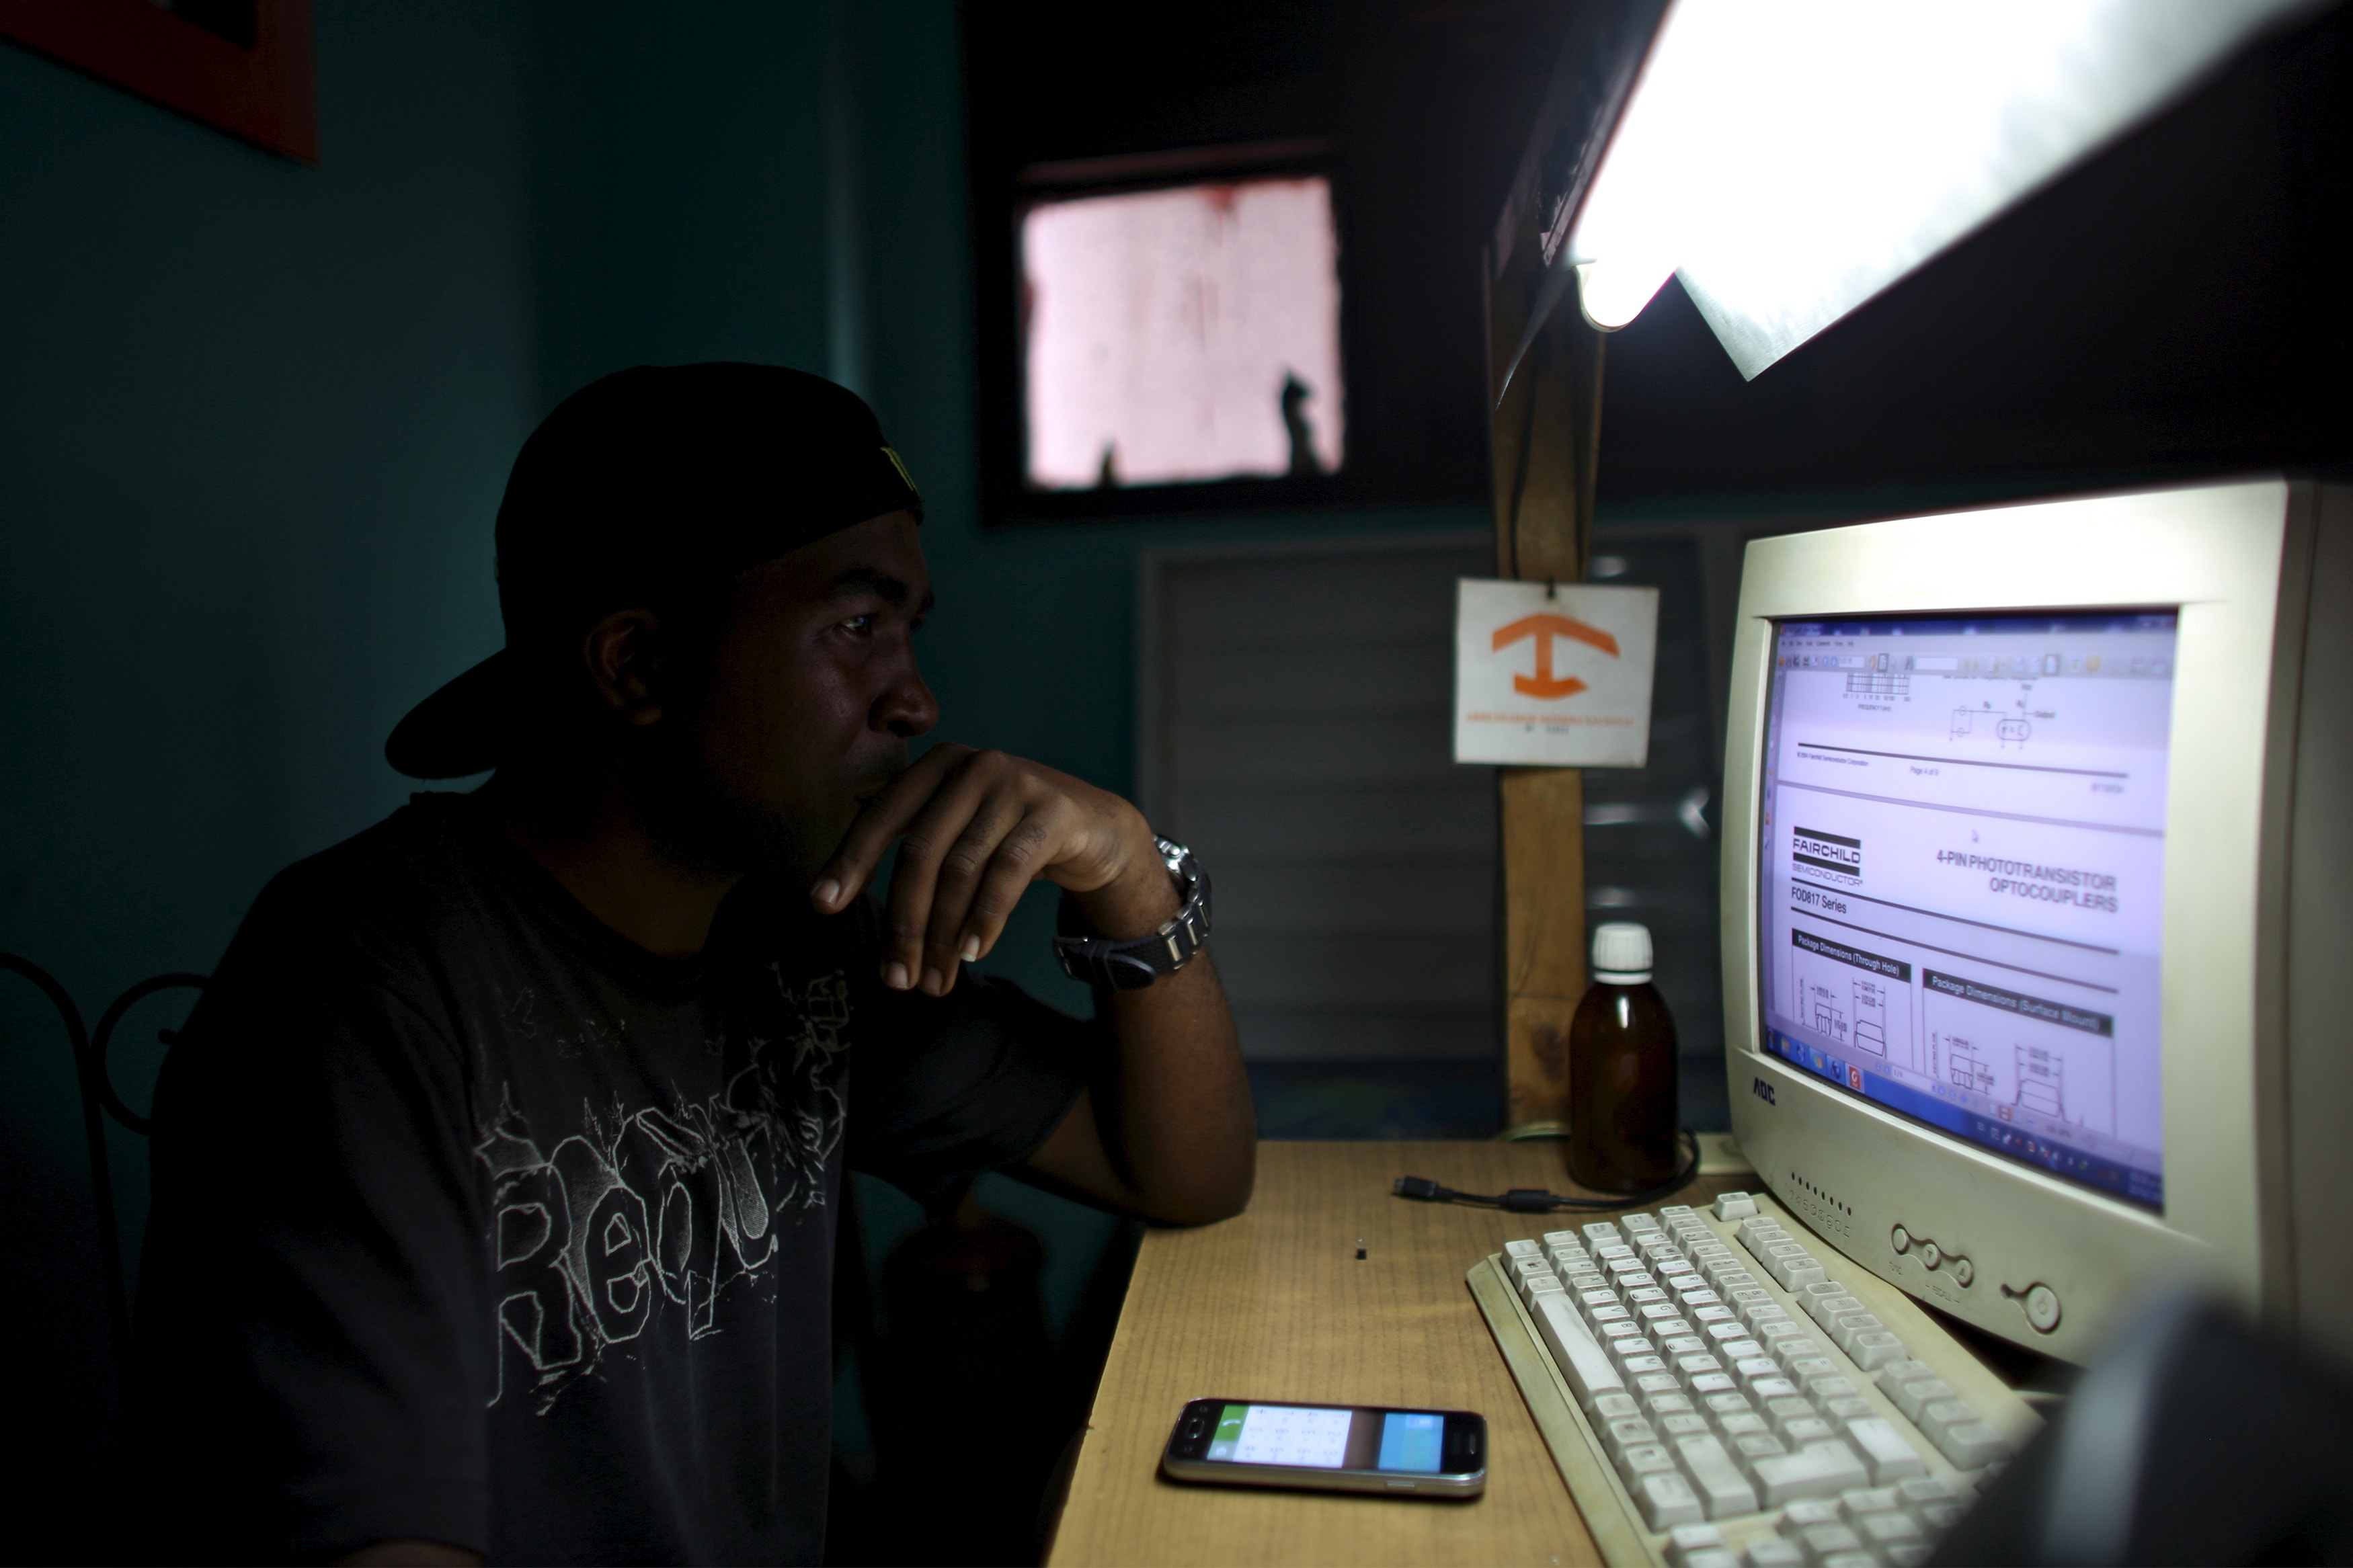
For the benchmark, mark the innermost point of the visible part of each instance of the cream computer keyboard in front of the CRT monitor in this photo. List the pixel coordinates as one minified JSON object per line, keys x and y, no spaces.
{"x":1721,"y":1388}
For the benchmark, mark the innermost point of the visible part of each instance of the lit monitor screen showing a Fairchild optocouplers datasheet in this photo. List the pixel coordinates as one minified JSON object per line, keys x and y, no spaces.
{"x":1964,"y":855}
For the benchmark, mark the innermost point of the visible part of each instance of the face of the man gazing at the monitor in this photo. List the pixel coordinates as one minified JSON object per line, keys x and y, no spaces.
{"x":808,"y":702}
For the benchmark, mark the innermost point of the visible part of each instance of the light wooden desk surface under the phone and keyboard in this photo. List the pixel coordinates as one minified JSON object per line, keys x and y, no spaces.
{"x":1277,"y":1306}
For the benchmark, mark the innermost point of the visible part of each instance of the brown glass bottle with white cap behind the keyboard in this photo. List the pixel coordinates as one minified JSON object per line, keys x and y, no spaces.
{"x":1622,"y":1071}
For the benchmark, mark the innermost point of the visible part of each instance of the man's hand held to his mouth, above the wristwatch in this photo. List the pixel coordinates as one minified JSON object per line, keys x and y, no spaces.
{"x":978,"y":831}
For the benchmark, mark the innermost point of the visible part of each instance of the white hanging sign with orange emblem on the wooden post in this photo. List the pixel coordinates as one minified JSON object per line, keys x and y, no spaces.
{"x":1554,"y":676}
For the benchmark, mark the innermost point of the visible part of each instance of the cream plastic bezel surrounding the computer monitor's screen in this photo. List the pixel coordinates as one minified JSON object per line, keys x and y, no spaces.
{"x":1853,"y":1170}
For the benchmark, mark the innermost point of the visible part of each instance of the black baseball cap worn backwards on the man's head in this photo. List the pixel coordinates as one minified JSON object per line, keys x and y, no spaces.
{"x":644,"y":485}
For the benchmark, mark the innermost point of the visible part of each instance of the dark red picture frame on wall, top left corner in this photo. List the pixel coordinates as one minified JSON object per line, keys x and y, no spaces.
{"x":234,"y":65}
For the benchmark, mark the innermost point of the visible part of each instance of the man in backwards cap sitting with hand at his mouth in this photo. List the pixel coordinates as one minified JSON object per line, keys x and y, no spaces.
{"x":498,"y":1172}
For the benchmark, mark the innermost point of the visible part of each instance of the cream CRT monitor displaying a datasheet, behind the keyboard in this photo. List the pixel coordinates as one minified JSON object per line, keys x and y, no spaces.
{"x":2034,"y":902}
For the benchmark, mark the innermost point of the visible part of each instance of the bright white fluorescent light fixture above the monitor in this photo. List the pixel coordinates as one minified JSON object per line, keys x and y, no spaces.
{"x":1794,"y":159}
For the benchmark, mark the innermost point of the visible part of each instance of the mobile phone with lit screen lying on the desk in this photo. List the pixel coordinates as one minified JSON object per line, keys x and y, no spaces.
{"x":1345,"y":1449}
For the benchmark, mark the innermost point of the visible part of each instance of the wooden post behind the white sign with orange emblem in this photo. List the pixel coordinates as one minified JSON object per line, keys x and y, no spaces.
{"x":1547,"y":436}
